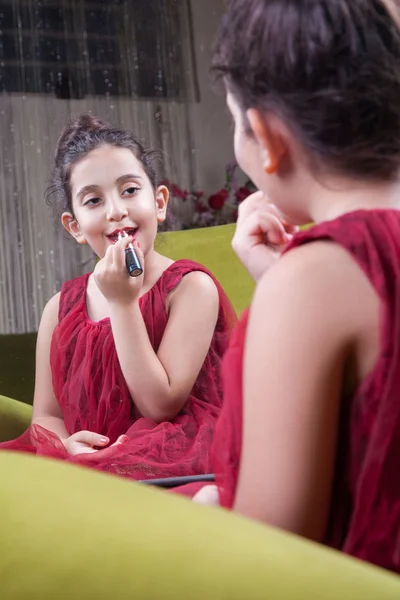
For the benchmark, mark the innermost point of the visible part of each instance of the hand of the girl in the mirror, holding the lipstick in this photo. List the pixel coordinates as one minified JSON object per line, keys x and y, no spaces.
{"x":112,"y":277}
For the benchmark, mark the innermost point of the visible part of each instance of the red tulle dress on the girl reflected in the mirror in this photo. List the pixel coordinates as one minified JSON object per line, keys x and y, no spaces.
{"x":92,"y":393}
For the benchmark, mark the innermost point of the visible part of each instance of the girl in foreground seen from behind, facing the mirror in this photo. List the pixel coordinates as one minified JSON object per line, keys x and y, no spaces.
{"x":309,"y":436}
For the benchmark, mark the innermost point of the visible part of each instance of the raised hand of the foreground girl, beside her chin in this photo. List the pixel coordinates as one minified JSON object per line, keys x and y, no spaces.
{"x":260,"y":234}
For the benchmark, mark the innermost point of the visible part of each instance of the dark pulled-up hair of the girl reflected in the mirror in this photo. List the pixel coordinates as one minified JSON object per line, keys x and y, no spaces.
{"x":83,"y":134}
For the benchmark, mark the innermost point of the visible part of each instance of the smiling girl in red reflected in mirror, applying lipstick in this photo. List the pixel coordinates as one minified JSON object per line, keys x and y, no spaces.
{"x":127,"y":368}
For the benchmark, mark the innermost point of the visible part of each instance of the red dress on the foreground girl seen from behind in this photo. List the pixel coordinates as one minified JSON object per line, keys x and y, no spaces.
{"x":365,"y":506}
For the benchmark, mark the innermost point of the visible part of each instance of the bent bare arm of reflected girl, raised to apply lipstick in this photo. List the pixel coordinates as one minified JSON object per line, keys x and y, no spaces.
{"x":160,"y":383}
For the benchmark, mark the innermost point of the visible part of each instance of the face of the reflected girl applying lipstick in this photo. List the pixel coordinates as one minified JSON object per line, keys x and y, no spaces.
{"x":111,"y":193}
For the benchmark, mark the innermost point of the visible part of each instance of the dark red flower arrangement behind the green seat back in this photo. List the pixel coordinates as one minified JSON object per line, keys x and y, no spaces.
{"x":193,"y":209}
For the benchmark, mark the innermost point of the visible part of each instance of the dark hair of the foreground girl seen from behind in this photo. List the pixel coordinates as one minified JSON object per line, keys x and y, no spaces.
{"x":329,"y":68}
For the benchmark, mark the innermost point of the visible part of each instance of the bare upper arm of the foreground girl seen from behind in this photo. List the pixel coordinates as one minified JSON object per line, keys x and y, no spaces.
{"x":309,"y":314}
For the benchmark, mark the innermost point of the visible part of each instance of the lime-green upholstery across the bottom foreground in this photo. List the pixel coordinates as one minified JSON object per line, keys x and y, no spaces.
{"x":69,"y":533}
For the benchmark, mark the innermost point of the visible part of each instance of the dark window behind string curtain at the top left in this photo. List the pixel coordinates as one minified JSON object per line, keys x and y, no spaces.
{"x":76,"y":48}
